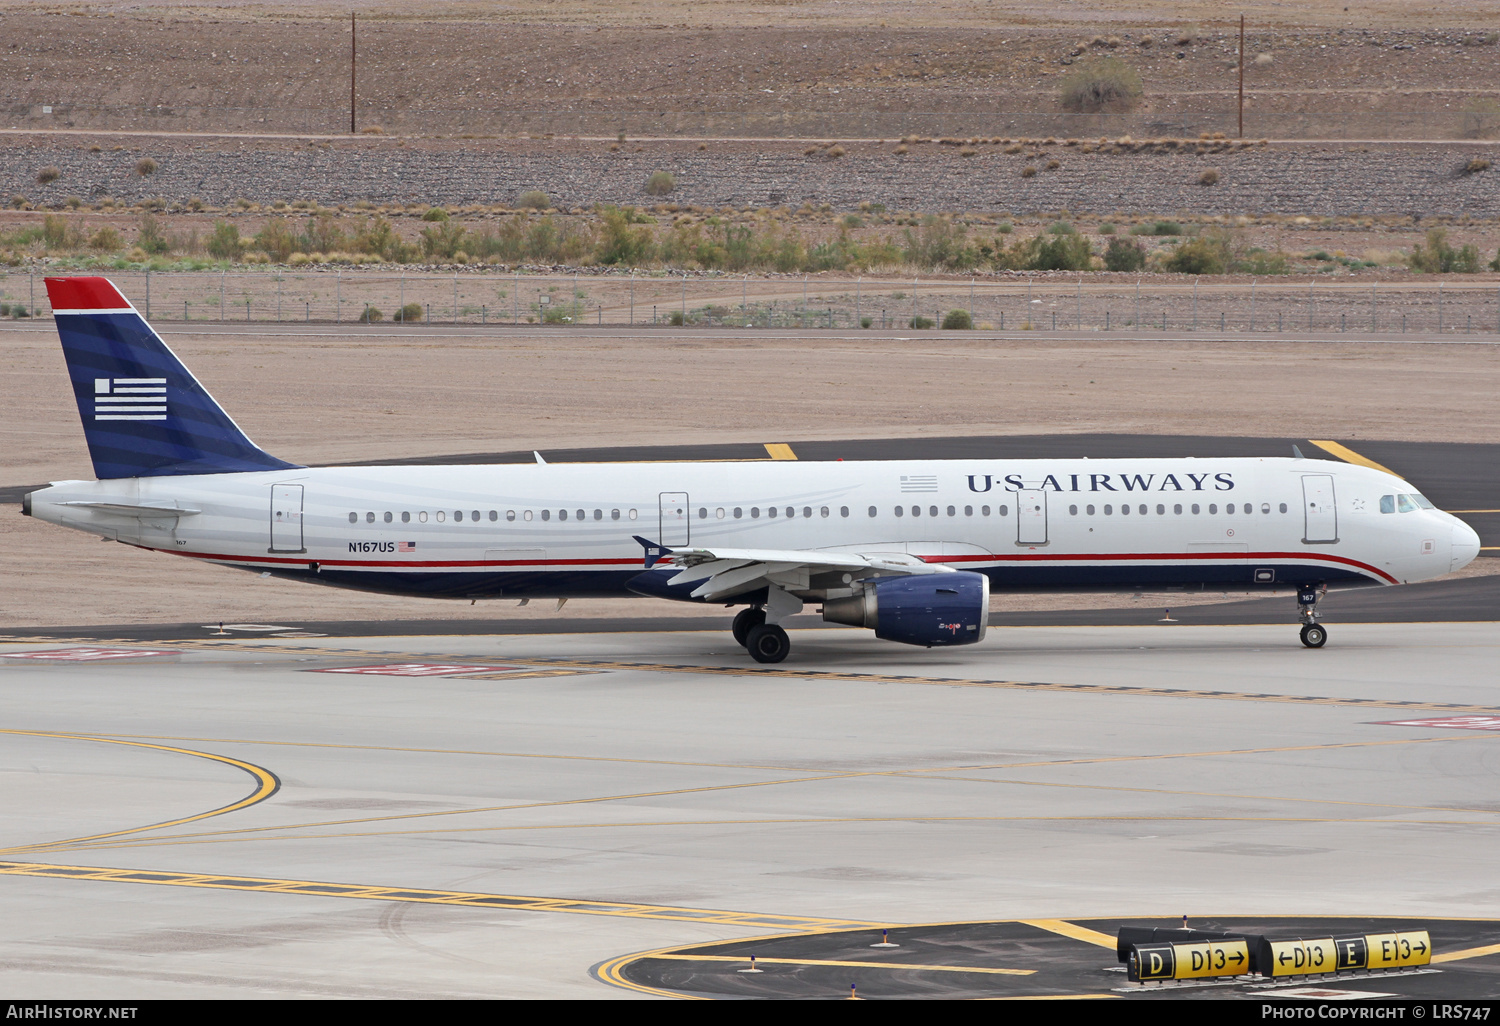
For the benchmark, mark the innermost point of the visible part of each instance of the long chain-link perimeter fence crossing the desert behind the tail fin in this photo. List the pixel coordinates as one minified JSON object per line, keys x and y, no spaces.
{"x":619,"y":299}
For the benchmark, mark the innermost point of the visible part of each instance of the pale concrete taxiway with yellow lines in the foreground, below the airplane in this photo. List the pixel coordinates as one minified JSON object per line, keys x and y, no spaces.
{"x":602,"y":814}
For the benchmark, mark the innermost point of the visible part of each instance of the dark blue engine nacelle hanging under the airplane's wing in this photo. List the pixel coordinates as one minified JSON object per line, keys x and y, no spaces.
{"x":929,"y":610}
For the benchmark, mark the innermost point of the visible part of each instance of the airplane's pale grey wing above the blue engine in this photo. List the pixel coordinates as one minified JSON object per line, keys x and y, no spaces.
{"x":728,"y":572}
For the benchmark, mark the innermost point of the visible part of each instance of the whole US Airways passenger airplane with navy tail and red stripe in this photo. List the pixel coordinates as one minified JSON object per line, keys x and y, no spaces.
{"x":911,"y":550}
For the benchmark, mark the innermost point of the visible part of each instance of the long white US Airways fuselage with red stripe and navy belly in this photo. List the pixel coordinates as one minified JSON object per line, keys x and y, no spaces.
{"x":568,"y":530}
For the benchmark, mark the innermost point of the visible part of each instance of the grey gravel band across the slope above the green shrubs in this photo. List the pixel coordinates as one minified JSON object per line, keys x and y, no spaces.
{"x":1316,"y":182}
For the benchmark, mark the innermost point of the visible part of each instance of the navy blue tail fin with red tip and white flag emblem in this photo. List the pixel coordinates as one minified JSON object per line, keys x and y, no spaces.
{"x":145,"y":415}
